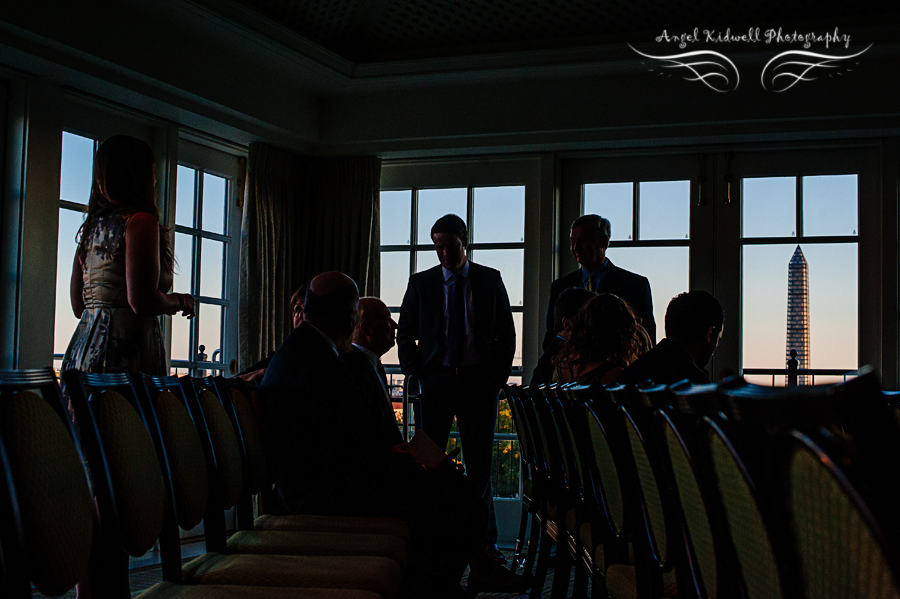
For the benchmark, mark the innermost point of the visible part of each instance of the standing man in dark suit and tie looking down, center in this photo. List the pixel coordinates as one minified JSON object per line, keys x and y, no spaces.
{"x":457,"y":337}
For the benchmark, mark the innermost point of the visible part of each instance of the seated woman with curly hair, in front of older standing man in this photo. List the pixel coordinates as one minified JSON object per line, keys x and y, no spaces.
{"x":605,"y":339}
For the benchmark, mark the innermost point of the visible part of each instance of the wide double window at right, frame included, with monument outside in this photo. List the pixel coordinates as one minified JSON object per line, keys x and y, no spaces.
{"x":741,"y":225}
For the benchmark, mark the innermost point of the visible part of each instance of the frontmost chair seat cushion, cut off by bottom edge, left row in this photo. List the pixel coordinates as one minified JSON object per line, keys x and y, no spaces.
{"x":168,"y":590}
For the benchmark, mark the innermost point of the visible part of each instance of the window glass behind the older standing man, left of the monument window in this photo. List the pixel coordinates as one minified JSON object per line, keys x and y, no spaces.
{"x":650,"y":233}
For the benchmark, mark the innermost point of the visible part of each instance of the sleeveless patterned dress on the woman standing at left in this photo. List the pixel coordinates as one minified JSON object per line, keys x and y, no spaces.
{"x":110,"y":337}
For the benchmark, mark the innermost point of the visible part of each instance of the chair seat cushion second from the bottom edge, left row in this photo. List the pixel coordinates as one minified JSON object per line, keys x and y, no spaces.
{"x":379,"y":575}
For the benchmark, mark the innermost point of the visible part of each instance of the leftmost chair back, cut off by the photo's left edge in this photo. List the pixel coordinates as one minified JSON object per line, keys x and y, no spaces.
{"x":46,"y":510}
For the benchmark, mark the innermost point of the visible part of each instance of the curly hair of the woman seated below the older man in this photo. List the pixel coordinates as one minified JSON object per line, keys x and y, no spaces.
{"x":604,"y":329}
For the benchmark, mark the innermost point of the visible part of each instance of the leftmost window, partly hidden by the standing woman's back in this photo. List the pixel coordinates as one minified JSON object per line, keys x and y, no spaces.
{"x":76,"y":176}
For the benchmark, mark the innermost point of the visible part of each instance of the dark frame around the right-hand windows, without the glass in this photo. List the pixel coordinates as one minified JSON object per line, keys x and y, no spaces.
{"x":715,"y":222}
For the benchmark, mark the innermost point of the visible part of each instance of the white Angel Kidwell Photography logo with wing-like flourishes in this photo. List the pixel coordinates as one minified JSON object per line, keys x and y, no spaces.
{"x":717,"y":72}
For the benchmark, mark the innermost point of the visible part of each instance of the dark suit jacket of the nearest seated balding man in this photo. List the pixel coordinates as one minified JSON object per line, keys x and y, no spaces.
{"x":329,"y":454}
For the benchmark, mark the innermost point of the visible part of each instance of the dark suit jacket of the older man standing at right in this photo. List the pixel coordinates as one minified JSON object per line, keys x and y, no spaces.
{"x":631,"y":287}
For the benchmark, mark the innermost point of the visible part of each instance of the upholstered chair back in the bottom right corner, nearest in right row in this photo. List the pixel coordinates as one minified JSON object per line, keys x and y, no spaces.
{"x":842,"y":548}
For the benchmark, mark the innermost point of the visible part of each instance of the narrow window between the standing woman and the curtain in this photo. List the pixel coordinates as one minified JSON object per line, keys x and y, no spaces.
{"x":202,"y":246}
